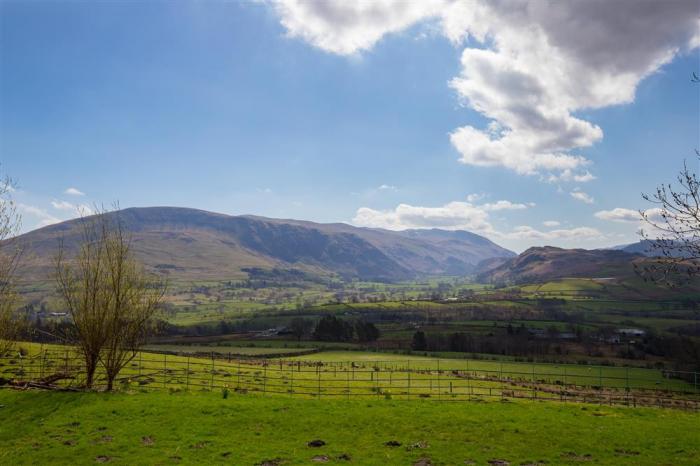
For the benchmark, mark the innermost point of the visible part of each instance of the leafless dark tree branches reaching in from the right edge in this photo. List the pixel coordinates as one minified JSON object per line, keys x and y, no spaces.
{"x":674,"y":238}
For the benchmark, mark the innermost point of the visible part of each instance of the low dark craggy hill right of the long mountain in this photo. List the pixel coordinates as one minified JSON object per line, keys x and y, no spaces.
{"x":541,"y":264}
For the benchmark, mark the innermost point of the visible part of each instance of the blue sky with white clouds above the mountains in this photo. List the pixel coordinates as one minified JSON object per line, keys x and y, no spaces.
{"x":529,"y":122}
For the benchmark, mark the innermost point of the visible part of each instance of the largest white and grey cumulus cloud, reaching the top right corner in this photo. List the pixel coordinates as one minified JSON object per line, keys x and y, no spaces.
{"x":527,"y":66}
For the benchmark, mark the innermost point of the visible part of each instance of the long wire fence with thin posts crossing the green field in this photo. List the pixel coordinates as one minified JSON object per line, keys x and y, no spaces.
{"x":457,"y":380}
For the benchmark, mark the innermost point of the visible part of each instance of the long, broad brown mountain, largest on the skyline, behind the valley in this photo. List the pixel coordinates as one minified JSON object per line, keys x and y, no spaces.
{"x":189,"y":244}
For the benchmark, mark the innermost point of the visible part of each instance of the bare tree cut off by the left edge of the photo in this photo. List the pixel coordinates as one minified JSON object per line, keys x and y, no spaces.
{"x":10,"y":251}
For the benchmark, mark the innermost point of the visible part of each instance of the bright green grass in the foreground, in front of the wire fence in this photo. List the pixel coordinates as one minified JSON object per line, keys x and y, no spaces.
{"x":204,"y":428}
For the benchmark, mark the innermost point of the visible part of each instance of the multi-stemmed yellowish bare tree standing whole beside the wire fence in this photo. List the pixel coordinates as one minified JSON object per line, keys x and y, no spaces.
{"x":109,"y":296}
